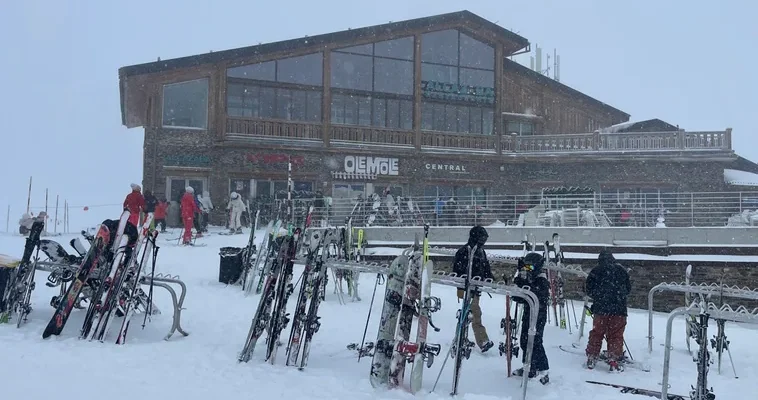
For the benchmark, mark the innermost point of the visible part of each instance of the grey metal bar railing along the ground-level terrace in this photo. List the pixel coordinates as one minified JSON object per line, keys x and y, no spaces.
{"x":617,"y":209}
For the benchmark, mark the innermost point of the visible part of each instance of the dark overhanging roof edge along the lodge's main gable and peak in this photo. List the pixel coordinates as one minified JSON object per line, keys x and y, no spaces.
{"x":336,"y":37}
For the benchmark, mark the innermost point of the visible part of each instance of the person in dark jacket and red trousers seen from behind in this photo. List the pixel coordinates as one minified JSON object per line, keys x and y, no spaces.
{"x":608,"y":285}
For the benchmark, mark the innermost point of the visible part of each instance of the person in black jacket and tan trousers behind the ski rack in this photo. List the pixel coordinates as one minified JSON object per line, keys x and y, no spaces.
{"x":479,"y":268}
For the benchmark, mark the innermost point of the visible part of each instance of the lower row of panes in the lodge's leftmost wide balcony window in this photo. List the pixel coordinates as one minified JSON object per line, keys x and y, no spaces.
{"x":255,"y":101}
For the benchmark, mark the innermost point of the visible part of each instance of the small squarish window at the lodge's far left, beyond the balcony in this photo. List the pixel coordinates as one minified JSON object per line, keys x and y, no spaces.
{"x":185,"y":104}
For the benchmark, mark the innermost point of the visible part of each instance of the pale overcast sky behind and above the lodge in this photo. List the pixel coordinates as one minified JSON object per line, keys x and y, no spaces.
{"x":688,"y":62}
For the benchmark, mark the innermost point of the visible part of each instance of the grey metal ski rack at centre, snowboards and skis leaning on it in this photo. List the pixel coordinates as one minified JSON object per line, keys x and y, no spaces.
{"x":452,"y":279}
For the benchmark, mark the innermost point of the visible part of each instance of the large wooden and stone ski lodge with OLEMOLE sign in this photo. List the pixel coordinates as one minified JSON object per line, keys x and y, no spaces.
{"x":426,"y":107}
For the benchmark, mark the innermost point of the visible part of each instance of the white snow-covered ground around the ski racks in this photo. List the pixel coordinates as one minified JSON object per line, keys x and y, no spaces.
{"x":203,"y":365}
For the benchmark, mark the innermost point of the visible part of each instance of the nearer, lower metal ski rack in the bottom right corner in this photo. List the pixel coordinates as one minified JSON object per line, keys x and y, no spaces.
{"x":725,"y":312}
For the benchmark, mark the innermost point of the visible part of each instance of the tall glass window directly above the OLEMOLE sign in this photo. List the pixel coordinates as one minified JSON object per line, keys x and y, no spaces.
{"x":375,"y":84}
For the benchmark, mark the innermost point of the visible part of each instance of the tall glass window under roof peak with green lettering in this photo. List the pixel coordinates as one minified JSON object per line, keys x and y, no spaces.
{"x":458,"y":83}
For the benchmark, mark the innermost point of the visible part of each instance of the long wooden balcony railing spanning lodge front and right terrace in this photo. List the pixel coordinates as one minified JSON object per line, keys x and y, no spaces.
{"x":587,"y":144}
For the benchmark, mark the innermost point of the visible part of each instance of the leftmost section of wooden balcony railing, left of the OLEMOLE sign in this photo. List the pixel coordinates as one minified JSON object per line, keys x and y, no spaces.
{"x":274,"y":129}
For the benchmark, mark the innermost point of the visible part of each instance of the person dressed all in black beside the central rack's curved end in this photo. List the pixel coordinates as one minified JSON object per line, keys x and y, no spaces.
{"x":531,"y":276}
